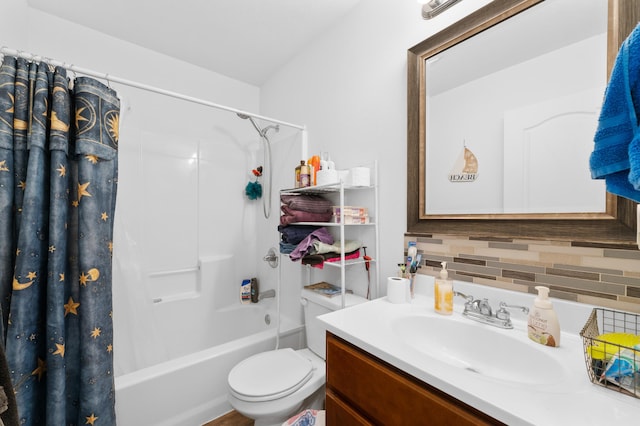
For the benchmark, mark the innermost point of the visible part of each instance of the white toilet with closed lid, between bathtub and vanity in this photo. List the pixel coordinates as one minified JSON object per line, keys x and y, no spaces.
{"x":272,"y":386}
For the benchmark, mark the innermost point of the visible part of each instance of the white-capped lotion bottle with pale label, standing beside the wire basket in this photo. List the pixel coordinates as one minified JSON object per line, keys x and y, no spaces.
{"x":543,"y":326}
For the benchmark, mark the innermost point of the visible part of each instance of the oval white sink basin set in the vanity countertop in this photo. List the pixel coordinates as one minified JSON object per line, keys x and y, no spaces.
{"x":481,"y":349}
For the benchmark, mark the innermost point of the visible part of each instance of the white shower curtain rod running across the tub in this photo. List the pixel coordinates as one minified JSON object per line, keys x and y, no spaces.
{"x":110,"y":78}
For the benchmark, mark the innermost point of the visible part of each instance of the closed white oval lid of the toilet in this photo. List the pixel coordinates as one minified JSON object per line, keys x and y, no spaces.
{"x":270,"y":375}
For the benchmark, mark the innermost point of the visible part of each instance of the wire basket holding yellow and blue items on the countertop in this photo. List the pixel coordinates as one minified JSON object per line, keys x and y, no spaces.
{"x":611,"y":341}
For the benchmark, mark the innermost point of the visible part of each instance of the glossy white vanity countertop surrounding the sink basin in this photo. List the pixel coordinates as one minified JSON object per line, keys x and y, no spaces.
{"x":573,"y":399}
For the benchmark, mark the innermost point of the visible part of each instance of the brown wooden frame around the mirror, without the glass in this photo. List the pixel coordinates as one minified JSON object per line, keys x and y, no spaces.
{"x":617,"y":227}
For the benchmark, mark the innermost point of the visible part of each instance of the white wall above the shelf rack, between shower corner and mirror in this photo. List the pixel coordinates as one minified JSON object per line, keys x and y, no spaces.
{"x":349,"y":87}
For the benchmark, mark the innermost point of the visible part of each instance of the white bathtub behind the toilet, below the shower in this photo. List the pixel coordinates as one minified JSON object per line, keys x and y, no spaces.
{"x":192,"y":389}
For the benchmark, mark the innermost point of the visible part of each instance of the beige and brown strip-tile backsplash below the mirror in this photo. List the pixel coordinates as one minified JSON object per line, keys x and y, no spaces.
{"x":605,"y":275}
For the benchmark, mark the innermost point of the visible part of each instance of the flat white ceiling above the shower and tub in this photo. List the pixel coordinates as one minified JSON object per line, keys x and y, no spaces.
{"x":247,"y":40}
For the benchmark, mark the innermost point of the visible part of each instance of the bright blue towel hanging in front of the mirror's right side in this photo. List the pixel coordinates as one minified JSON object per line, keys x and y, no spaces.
{"x":616,"y":154}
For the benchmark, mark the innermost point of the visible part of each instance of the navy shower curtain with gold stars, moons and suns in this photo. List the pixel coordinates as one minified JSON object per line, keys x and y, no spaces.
{"x":58,"y":176}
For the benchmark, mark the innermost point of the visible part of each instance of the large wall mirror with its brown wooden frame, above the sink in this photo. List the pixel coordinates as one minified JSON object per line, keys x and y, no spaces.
{"x":467,"y":139}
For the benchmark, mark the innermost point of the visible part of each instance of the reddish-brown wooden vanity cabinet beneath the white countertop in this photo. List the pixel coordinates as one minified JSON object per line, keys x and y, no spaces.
{"x":364,"y":390}
